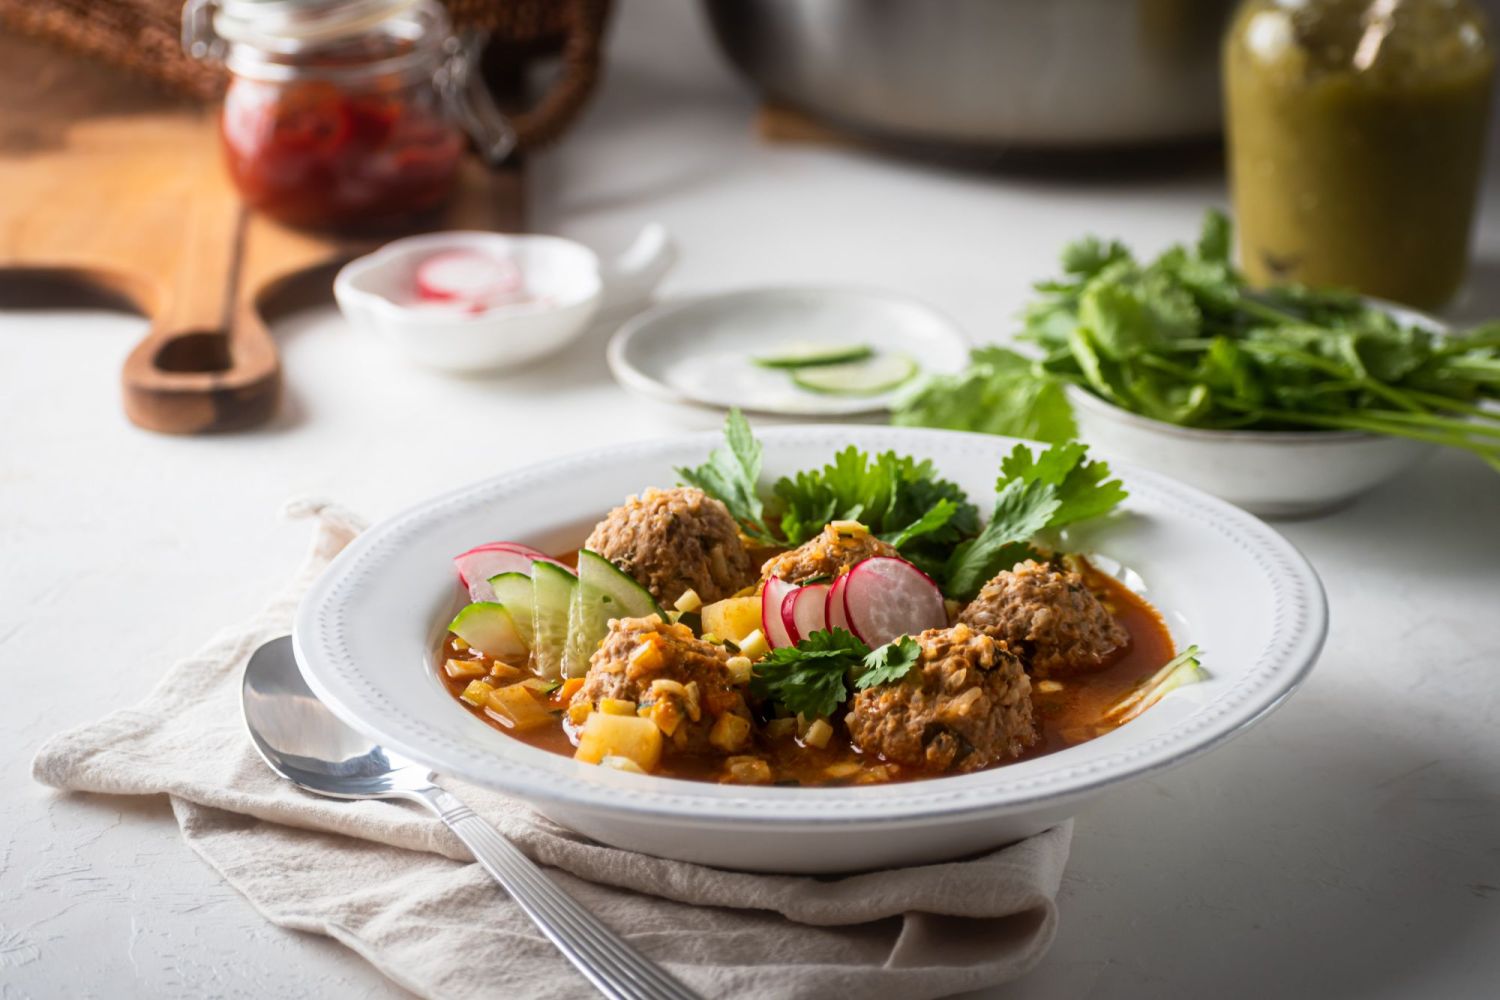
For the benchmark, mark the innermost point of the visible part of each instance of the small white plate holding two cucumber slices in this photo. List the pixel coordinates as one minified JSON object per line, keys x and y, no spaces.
{"x":700,"y":352}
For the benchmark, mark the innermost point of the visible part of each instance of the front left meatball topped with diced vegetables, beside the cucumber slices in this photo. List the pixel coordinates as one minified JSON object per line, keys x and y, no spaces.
{"x":676,"y":680}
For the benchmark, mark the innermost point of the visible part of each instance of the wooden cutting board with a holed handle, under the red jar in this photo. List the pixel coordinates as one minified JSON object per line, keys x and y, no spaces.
{"x":109,"y":182}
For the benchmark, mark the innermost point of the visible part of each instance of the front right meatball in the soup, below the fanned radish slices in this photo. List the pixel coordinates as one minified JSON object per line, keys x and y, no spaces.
{"x":965,"y":705}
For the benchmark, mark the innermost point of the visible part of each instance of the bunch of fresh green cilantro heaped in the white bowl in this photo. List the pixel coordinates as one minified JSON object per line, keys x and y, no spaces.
{"x":1184,"y":340}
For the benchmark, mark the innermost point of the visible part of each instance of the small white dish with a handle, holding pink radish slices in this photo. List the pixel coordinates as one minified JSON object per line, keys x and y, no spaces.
{"x":568,"y":284}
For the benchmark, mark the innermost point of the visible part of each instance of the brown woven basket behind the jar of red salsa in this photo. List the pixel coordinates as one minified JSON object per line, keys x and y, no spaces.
{"x":143,"y":38}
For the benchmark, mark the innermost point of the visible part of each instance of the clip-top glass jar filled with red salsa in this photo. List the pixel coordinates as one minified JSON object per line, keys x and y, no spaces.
{"x":344,"y":113}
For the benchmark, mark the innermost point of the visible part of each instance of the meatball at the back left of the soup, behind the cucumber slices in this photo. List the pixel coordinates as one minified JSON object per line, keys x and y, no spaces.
{"x":674,"y":540}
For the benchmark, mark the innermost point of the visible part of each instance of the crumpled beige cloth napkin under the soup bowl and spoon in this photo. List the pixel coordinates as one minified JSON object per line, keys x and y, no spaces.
{"x":392,"y":884}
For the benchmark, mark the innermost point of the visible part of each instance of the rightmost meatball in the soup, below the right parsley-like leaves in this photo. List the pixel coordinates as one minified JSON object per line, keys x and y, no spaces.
{"x":1049,"y":617}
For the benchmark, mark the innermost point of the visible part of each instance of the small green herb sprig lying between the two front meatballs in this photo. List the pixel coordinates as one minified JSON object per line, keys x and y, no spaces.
{"x":814,"y":678}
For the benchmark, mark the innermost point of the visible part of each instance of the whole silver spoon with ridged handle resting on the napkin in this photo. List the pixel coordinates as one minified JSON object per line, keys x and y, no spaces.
{"x":304,"y":743}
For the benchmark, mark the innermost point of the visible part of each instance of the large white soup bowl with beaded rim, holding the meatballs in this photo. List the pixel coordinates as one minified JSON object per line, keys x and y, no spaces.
{"x":368,"y":632}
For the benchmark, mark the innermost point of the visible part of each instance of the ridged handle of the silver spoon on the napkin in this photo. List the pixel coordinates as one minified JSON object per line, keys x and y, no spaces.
{"x":614,"y":968}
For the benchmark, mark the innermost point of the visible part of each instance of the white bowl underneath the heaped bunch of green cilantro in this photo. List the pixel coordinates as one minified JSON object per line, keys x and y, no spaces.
{"x":1268,"y":473}
